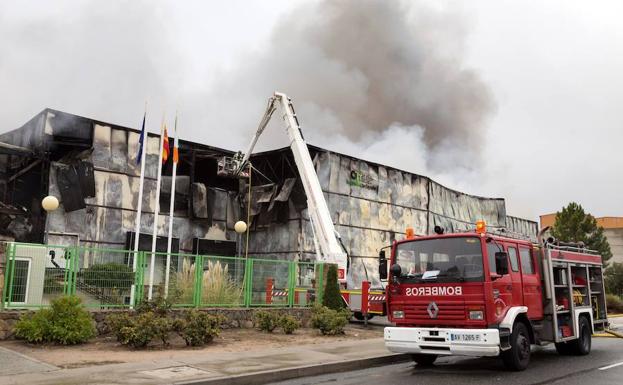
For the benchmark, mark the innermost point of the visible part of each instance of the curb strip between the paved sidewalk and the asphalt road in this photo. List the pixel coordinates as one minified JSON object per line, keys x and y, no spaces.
{"x":269,"y":376}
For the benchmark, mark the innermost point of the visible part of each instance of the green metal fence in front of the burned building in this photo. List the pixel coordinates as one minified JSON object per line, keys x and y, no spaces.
{"x":109,"y":278}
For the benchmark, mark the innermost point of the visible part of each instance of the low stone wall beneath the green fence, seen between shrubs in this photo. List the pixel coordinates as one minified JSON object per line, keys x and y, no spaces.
{"x":235,"y":318}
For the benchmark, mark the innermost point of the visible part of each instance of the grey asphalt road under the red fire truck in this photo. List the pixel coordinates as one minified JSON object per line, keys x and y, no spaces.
{"x":546,"y":367}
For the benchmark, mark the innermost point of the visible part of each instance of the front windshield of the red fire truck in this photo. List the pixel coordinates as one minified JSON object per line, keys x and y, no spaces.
{"x":441,"y":260}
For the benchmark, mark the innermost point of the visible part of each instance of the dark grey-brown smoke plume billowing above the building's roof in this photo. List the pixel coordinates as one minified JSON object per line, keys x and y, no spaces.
{"x":356,"y":68}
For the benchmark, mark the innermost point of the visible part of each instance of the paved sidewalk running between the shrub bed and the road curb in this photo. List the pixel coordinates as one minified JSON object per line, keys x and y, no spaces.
{"x":222,"y":368}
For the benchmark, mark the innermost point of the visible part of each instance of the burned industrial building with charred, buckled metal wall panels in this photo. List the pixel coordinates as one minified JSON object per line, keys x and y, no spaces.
{"x":92,"y":167}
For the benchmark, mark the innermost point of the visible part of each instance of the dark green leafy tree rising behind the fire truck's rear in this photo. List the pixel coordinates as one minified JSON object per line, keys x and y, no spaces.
{"x":573,"y":224}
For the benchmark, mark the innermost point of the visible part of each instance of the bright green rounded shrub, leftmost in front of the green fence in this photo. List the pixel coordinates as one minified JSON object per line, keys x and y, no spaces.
{"x":65,"y":322}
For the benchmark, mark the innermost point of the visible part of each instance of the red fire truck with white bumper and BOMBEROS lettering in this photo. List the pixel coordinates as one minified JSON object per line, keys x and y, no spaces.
{"x":491,"y":294}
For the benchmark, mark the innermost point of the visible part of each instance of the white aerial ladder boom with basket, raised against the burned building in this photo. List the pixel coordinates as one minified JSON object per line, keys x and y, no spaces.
{"x":326,"y":239}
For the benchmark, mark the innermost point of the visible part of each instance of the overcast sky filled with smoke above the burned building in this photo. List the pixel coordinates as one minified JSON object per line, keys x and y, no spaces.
{"x":519,"y":100}
